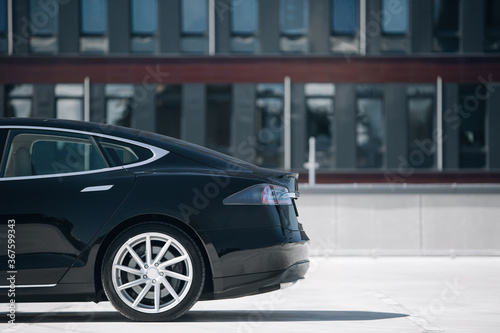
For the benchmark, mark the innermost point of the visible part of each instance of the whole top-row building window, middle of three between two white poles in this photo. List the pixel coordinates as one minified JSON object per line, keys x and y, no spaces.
{"x":294,"y":26}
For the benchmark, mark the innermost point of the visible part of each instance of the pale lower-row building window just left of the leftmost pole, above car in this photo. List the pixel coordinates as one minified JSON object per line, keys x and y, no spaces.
{"x":69,"y":101}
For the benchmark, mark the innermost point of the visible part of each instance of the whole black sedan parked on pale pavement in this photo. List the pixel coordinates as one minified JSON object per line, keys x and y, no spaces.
{"x":92,"y":212}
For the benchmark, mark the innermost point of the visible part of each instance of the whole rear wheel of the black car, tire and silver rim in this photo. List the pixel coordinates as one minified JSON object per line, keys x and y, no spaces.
{"x":155,"y":289}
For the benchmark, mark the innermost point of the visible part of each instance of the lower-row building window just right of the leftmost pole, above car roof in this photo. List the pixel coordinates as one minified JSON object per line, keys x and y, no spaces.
{"x":118,"y":103}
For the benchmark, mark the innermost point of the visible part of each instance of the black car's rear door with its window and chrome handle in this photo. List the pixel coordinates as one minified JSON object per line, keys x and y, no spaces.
{"x":56,"y":189}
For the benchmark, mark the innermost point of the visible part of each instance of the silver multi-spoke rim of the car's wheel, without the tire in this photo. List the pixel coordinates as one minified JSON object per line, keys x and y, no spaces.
{"x":152,"y":272}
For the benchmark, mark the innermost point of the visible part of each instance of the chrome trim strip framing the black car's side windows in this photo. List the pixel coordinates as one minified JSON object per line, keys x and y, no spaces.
{"x":157,"y":152}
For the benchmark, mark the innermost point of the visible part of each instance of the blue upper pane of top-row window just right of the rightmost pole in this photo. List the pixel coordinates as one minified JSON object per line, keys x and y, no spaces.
{"x":395,"y":20}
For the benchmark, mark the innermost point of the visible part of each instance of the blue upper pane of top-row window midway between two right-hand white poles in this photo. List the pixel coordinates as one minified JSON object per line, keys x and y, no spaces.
{"x":294,"y":17}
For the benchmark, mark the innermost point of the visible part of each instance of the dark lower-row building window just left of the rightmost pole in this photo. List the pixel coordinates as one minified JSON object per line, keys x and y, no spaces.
{"x":420,"y":106}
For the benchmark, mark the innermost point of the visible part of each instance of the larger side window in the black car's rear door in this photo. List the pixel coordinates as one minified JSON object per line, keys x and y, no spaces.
{"x":33,"y":153}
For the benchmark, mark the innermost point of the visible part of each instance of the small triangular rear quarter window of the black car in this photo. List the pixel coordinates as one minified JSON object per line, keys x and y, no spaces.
{"x":119,"y":153}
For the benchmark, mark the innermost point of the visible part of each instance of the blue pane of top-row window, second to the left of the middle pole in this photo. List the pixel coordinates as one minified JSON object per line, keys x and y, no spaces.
{"x":143,"y":16}
